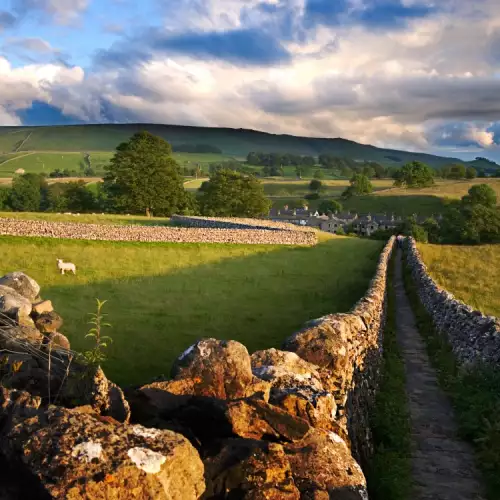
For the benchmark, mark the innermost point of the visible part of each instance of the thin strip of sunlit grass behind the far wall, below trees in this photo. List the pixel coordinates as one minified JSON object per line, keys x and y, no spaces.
{"x":88,"y":218}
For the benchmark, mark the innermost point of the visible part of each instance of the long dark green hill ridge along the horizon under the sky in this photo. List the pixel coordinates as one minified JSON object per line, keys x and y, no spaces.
{"x":235,"y":142}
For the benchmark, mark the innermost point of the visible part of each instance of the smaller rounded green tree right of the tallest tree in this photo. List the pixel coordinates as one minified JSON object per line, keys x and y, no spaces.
{"x":233,"y":194}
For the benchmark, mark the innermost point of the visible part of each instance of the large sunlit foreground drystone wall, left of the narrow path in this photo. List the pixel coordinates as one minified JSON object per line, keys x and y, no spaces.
{"x":285,"y":424}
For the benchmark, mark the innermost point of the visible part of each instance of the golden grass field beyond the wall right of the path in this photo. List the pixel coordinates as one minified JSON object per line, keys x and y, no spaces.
{"x":471,"y":273}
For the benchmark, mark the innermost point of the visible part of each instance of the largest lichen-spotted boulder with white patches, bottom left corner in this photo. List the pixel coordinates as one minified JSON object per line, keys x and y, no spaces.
{"x":77,"y":455}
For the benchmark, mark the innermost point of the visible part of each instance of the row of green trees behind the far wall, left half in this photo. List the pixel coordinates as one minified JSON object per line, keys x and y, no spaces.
{"x":141,"y":178}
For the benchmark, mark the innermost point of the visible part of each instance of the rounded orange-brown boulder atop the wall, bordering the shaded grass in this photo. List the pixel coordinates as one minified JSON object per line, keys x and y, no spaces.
{"x":215,"y":368}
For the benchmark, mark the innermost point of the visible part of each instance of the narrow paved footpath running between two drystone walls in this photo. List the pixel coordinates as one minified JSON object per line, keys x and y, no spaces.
{"x":443,"y":466}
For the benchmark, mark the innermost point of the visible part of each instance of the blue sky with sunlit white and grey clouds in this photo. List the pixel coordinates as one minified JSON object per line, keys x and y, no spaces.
{"x":422,"y":75}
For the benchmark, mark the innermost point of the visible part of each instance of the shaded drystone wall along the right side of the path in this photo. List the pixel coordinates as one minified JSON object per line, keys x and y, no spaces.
{"x":472,"y":335}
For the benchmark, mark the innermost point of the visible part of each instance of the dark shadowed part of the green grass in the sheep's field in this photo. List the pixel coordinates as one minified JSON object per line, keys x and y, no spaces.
{"x":257,"y":299}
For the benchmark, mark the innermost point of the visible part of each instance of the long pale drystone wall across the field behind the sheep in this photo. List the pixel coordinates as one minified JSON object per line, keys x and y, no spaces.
{"x":149,"y":234}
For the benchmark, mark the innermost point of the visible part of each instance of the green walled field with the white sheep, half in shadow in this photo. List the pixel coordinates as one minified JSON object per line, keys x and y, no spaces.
{"x":163,"y":297}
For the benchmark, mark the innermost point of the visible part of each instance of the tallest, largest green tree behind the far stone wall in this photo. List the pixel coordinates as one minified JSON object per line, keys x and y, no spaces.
{"x":144,"y":178}
